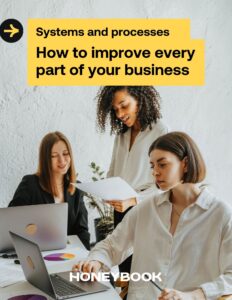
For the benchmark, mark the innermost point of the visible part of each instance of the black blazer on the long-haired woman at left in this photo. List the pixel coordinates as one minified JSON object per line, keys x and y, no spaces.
{"x":30,"y":192}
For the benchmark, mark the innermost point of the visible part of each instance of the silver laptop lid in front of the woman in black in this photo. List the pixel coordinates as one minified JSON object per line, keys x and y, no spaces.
{"x":46,"y":224}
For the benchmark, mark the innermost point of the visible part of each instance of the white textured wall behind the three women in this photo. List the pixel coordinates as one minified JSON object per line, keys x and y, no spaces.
{"x":28,"y":113}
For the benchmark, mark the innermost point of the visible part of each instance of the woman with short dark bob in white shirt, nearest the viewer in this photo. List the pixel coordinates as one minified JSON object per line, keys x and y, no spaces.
{"x":184,"y":233}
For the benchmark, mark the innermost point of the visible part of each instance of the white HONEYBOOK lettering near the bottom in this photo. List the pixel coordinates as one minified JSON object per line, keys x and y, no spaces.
{"x":105,"y":276}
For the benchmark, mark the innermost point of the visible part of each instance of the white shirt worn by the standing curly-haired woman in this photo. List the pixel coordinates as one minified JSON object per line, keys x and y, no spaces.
{"x":134,"y":165}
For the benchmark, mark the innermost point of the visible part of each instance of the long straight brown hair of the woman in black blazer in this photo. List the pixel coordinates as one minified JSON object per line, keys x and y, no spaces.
{"x":44,"y":171}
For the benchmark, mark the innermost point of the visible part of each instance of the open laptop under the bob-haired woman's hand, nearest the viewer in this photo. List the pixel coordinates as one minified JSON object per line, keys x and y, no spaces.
{"x":55,"y":285}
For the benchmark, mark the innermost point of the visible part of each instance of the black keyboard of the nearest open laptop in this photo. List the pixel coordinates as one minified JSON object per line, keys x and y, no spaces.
{"x":63,"y":287}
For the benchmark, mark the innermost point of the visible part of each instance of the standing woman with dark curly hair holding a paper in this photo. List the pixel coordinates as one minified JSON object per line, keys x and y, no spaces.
{"x":134,"y":113}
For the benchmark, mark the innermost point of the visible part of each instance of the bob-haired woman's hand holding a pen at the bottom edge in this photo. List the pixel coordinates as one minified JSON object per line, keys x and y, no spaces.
{"x":169,"y":294}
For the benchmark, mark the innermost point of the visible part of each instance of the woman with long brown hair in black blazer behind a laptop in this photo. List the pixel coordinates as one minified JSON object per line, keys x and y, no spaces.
{"x":52,"y":184}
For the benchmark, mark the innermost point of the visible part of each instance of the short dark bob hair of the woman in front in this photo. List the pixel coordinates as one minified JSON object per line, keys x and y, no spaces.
{"x":180,"y":144}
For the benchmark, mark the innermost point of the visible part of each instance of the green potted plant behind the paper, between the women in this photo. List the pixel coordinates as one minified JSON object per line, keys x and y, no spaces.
{"x":105,"y":223}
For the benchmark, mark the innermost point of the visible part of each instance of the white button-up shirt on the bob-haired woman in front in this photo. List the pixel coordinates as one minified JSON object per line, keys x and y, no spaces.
{"x":198,"y":255}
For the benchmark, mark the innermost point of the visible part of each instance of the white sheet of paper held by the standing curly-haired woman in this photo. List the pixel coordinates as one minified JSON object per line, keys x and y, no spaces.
{"x":114,"y":188}
